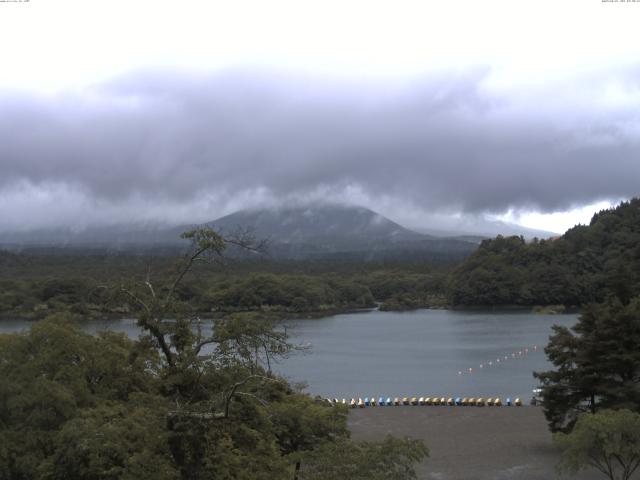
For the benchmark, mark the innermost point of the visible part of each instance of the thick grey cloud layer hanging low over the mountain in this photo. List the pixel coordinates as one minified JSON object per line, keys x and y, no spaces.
{"x":176,"y":147}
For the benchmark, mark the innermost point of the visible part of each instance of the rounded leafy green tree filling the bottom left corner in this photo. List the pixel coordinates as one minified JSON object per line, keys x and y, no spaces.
{"x":63,"y":394}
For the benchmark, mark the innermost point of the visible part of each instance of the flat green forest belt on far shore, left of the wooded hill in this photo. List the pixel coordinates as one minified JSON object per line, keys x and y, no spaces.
{"x":32,"y":287}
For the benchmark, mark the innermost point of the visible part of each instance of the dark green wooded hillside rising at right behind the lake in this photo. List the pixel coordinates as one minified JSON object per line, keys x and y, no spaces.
{"x":586,"y":264}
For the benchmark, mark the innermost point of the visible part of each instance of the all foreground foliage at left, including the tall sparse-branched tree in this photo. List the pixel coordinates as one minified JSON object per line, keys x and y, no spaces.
{"x":186,"y":400}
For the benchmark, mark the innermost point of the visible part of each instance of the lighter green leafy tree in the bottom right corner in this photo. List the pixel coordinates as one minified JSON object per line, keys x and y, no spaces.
{"x":608,"y":441}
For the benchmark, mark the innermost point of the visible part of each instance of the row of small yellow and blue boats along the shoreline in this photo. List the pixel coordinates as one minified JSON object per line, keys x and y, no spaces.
{"x":397,"y":401}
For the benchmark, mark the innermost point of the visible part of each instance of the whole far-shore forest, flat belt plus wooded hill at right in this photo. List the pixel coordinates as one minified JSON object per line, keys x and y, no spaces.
{"x":587,"y":264}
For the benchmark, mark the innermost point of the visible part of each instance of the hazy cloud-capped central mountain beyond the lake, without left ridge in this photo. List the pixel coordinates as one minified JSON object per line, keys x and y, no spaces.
{"x":338,"y":231}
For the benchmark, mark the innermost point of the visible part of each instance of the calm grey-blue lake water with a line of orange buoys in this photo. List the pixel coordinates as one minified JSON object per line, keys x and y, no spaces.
{"x":418,"y":353}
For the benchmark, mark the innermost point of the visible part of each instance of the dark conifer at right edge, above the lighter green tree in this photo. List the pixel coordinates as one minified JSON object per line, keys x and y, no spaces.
{"x":597,"y":364}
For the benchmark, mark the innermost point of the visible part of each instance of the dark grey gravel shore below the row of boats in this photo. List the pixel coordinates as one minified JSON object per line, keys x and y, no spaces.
{"x":470,"y":443}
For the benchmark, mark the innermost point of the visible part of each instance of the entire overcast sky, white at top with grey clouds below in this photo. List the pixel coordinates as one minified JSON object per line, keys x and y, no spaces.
{"x":435,"y":114}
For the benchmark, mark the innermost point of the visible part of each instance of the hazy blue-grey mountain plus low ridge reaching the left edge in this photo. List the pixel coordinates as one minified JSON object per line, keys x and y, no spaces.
{"x":317,"y":232}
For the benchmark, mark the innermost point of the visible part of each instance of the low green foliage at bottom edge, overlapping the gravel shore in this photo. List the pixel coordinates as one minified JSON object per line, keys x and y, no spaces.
{"x":390,"y":459}
